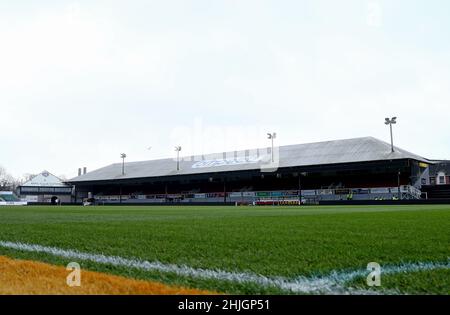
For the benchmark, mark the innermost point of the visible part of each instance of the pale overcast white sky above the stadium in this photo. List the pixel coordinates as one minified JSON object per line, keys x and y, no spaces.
{"x":83,"y":81}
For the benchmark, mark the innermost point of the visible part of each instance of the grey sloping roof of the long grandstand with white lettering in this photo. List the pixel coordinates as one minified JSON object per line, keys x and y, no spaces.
{"x":319,"y":153}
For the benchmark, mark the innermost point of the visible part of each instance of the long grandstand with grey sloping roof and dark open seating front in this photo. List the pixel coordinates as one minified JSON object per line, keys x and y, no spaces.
{"x":351,"y":169}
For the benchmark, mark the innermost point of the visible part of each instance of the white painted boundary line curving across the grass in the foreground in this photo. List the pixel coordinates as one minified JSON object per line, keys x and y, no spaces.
{"x":332,"y":283}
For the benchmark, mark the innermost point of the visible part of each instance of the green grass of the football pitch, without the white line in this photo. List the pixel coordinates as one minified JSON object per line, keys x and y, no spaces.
{"x":274,"y":242}
